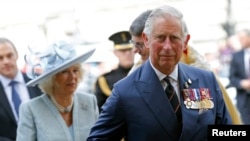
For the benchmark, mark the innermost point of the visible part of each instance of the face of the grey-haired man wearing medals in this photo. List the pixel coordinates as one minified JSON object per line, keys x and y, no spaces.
{"x":166,"y":43}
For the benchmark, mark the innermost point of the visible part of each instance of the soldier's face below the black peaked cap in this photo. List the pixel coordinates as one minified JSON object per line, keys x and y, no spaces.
{"x":125,"y":57}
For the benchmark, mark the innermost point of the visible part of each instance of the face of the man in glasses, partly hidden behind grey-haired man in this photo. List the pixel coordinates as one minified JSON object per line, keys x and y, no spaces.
{"x":140,"y":48}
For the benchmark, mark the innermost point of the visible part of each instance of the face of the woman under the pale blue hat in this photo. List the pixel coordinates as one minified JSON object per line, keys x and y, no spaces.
{"x":67,"y":80}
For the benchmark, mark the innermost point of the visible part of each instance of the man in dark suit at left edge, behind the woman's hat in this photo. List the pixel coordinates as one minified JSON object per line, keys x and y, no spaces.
{"x":9,"y":71}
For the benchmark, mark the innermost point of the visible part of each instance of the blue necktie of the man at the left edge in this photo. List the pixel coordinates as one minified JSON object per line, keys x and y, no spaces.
{"x":15,"y":96}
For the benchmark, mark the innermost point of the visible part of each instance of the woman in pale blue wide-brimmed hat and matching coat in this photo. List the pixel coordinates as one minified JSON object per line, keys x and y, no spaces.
{"x":61,"y":113}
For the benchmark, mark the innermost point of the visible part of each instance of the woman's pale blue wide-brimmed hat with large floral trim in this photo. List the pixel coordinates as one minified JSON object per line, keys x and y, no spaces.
{"x":57,"y":57}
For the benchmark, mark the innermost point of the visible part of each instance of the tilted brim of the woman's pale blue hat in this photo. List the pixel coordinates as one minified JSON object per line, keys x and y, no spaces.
{"x":78,"y":59}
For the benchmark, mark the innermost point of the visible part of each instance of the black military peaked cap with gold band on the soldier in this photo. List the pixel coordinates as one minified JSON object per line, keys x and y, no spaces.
{"x":121,"y":40}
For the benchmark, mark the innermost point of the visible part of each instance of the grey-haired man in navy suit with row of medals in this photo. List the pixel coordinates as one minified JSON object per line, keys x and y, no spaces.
{"x":163,"y":99}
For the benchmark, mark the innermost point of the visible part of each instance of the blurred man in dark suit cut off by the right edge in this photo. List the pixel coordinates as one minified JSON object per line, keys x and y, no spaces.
{"x":239,"y":75}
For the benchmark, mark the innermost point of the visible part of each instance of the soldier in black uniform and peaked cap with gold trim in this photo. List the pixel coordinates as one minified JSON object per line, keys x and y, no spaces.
{"x":123,"y":49}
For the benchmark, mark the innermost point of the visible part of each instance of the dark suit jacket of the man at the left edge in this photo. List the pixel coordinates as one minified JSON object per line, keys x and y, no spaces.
{"x":8,"y":125}
